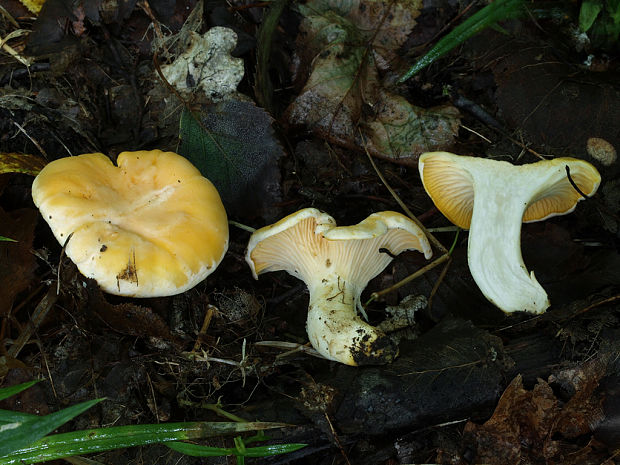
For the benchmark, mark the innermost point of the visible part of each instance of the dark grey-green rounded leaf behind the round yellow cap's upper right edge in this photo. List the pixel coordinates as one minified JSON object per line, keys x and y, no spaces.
{"x":238,"y":152}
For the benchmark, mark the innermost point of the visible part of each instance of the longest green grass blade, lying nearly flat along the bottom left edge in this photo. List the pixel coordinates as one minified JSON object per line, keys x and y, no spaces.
{"x":96,"y":440}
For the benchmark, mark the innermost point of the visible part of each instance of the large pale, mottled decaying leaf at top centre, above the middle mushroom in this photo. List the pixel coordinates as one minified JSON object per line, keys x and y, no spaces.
{"x":343,"y":46}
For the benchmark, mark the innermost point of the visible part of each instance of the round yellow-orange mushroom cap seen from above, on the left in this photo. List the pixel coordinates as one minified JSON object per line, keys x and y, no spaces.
{"x":150,"y":226}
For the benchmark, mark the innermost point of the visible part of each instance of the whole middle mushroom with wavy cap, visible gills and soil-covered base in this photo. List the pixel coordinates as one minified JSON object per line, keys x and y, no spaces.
{"x":336,"y":263}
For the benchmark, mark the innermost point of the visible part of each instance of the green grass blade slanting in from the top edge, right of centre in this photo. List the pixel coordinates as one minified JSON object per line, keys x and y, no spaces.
{"x":497,"y":11}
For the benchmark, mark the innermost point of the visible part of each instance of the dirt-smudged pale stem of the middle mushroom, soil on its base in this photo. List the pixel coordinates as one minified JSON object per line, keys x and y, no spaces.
{"x":337,"y":332}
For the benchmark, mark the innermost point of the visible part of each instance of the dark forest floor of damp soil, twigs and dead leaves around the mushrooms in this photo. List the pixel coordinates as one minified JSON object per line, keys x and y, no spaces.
{"x":471,"y":384}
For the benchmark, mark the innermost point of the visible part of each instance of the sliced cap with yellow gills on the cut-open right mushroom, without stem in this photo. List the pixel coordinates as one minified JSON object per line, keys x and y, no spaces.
{"x":450,"y":180}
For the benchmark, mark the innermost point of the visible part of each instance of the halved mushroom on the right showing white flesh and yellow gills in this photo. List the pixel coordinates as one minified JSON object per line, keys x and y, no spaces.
{"x":492,"y":198}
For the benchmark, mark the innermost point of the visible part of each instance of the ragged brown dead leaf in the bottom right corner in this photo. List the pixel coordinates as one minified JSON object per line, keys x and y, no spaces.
{"x":535,"y":426}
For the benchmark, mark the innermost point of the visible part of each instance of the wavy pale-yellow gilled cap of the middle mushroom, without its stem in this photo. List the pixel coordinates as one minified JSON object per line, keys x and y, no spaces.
{"x":308,"y":243}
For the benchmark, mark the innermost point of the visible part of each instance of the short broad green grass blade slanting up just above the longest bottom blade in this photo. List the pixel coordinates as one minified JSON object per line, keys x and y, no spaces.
{"x":14,"y":436}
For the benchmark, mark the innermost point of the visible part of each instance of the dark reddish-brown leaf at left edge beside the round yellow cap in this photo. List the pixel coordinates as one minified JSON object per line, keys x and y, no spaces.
{"x":18,"y":263}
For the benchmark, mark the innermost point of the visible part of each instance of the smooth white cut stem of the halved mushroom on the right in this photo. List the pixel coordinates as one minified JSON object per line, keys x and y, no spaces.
{"x":494,"y":247}
